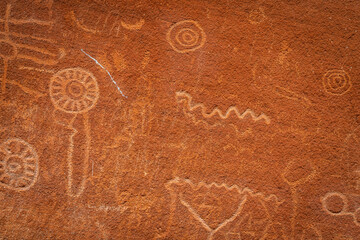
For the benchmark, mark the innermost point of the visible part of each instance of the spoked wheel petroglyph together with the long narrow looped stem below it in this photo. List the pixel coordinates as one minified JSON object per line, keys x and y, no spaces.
{"x":75,"y":91}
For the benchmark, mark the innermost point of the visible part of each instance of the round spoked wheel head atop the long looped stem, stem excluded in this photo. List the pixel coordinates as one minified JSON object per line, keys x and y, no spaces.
{"x":74,"y":90}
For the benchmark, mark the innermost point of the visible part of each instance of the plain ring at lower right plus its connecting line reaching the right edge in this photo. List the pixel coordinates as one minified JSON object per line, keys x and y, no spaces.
{"x":336,"y":204}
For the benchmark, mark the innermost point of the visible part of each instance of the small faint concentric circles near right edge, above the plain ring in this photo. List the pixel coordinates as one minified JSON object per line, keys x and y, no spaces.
{"x":336,"y":82}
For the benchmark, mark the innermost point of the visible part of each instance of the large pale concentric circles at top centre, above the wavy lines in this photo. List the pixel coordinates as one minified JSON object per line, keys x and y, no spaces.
{"x":186,"y":36}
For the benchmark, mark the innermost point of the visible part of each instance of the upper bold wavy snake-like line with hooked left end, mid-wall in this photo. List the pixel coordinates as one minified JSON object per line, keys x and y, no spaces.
{"x":192,"y":107}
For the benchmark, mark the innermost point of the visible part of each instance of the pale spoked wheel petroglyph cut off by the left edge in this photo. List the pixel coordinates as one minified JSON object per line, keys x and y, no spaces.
{"x":19,"y":165}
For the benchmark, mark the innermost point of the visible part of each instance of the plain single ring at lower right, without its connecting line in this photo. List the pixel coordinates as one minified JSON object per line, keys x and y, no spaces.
{"x":335,"y":203}
